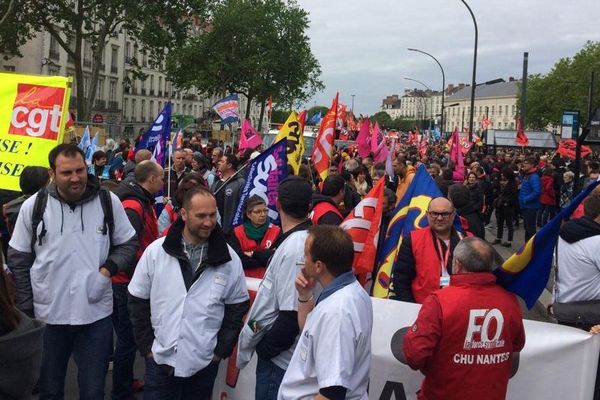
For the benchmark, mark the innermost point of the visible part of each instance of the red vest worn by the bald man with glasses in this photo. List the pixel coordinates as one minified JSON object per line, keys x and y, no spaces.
{"x":427,"y":264}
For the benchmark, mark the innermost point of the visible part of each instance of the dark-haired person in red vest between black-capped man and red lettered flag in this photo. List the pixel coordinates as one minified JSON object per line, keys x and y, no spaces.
{"x":325,"y":204}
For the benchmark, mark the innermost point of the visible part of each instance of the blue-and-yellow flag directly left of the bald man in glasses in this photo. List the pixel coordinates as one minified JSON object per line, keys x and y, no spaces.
{"x":409,"y":214}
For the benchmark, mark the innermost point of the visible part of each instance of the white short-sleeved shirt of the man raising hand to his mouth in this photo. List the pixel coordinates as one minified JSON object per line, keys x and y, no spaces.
{"x":334,"y":348}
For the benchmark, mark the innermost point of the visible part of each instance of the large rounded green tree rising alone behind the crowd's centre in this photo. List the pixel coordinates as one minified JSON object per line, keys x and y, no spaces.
{"x":257,"y":48}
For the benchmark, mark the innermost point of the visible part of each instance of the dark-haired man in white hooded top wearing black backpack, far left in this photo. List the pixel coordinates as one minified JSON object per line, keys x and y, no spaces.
{"x":69,"y":239}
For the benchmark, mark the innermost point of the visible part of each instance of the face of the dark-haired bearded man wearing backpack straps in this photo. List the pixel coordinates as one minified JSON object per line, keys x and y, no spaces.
{"x":70,"y":177}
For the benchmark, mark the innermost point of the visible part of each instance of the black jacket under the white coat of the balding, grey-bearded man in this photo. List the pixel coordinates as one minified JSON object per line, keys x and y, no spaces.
{"x":217,"y":255}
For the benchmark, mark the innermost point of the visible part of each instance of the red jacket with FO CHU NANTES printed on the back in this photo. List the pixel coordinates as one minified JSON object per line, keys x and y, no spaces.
{"x":463,"y":339}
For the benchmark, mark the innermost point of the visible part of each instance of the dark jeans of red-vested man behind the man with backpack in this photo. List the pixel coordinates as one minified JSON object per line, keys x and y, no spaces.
{"x":124,"y":355}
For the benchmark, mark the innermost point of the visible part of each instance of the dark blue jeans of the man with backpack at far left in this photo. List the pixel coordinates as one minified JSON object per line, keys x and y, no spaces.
{"x":91,"y":346}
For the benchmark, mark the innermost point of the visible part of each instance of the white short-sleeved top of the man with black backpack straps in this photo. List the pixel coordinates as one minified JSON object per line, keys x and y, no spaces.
{"x":67,"y":286}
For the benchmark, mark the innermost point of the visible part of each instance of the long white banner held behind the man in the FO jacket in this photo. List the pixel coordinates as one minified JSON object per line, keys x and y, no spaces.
{"x":557,"y":362}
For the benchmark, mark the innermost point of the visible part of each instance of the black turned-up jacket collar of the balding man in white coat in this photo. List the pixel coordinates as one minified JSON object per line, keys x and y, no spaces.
{"x":217,"y":254}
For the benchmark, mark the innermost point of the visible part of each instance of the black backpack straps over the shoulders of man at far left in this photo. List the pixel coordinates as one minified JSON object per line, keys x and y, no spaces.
{"x":39,"y":207}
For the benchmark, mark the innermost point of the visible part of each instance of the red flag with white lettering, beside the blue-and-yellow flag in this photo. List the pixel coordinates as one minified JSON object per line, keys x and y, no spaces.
{"x":363,"y":225}
